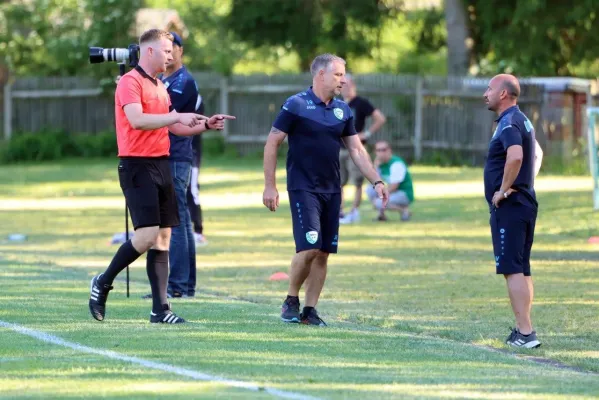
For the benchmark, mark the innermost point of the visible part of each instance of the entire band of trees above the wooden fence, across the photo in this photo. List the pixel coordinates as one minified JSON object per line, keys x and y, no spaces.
{"x":527,"y":37}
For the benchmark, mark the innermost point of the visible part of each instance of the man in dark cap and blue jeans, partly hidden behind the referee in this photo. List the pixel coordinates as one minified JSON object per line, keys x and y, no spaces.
{"x":183,"y":92}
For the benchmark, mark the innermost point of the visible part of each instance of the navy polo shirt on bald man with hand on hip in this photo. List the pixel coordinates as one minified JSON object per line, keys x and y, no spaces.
{"x":513,"y":128}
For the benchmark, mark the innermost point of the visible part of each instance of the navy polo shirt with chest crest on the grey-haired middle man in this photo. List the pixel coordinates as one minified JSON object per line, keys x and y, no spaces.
{"x":314,"y":132}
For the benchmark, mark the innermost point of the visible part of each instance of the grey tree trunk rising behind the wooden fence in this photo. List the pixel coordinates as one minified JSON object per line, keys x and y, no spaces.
{"x":458,"y":57}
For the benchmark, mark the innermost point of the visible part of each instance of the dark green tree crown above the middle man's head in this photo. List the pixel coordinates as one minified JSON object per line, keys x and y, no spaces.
{"x":343,"y":27}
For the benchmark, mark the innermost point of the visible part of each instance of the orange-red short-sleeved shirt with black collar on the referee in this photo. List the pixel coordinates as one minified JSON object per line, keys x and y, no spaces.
{"x":136,"y":86}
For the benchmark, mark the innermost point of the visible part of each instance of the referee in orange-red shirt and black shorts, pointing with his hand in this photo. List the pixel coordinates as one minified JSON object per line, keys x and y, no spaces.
{"x":144,"y":116}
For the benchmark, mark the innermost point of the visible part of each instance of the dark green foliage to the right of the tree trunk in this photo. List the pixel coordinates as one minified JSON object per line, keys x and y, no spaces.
{"x":533,"y":37}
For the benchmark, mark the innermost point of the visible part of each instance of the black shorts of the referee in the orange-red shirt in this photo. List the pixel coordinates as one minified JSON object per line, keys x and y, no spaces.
{"x":148,"y":187}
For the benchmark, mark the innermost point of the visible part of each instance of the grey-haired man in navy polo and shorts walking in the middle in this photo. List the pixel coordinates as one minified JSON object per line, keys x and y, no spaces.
{"x":316,"y":123}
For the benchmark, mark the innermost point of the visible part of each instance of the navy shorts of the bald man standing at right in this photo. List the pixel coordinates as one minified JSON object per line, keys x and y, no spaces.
{"x":512,"y":230}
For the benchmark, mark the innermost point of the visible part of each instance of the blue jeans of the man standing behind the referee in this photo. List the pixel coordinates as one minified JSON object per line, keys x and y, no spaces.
{"x":182,"y":253}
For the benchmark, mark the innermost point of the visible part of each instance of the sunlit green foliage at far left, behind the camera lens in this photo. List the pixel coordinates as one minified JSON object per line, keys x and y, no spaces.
{"x":51,"y":37}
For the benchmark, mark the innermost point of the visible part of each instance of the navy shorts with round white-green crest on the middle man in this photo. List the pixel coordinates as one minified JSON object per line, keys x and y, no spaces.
{"x":315,"y":220}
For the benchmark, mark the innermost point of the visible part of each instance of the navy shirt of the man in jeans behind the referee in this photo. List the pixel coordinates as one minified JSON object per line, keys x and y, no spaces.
{"x":183,"y":92}
